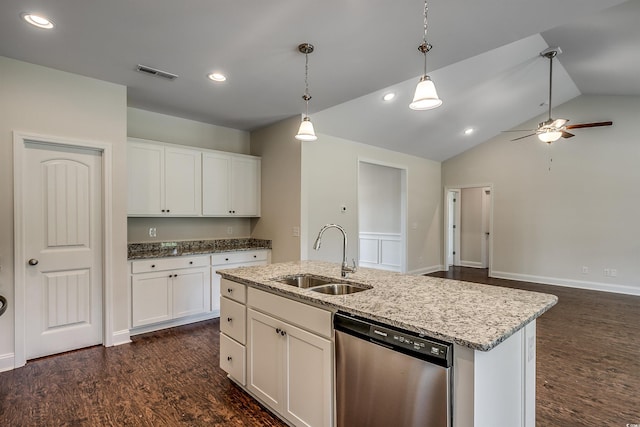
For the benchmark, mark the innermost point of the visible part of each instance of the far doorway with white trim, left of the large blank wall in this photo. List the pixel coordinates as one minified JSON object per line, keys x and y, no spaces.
{"x":468,"y":224}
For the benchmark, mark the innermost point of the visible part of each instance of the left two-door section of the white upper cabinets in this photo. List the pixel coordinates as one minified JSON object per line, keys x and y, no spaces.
{"x":163,"y":179}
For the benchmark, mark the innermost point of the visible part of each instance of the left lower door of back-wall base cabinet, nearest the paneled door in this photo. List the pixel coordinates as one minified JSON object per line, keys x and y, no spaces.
{"x":150,"y":298}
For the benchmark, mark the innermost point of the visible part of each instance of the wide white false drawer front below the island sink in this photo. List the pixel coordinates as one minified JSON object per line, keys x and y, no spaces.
{"x":311,"y":318}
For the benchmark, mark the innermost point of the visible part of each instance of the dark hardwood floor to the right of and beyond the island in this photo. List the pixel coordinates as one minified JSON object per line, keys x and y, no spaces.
{"x":588,"y":354}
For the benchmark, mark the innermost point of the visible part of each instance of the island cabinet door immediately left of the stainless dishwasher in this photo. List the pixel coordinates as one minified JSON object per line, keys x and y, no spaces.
{"x":308,"y":378}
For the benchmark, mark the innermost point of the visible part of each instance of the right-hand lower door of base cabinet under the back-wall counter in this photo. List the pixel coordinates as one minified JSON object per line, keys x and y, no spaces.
{"x":190,"y":291}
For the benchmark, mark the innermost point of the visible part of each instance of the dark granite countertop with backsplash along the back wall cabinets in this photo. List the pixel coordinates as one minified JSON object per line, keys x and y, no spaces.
{"x":193,"y":247}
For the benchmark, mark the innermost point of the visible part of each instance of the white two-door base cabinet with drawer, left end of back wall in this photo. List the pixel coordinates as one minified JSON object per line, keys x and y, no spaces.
{"x":169,"y":288}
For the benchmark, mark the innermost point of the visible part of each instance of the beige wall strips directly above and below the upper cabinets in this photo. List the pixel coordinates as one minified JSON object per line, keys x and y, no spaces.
{"x":160,"y":127}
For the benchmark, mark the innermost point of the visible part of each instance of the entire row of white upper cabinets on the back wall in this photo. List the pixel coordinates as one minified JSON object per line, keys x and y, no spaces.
{"x":173,"y":180}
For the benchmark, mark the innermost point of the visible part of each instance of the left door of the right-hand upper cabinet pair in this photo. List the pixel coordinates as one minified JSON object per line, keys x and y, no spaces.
{"x":216,"y":169}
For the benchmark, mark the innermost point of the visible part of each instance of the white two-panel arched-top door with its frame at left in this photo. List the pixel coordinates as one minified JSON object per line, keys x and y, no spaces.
{"x":61,"y":232}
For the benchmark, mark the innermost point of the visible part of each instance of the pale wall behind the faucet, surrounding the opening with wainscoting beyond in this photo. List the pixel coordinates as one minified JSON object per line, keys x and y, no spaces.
{"x":329,"y":180}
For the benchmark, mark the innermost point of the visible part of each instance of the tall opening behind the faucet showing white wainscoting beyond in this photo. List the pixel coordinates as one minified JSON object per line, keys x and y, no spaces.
{"x":382,"y":216}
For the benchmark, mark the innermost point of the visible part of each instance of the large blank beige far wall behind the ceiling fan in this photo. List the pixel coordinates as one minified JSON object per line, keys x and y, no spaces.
{"x":548,"y":224}
